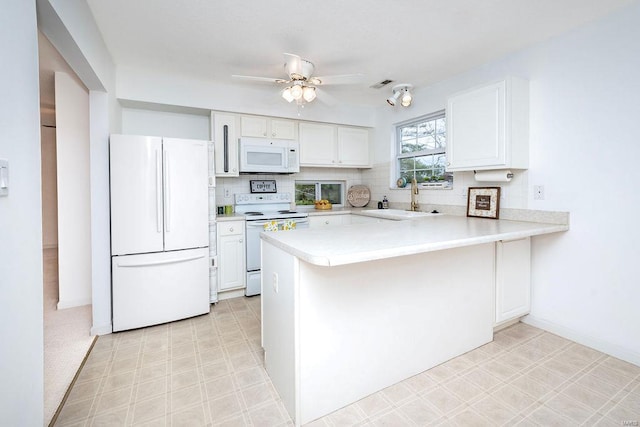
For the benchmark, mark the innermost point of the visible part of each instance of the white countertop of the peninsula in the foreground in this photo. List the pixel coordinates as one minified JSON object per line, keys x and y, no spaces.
{"x":329,"y":246}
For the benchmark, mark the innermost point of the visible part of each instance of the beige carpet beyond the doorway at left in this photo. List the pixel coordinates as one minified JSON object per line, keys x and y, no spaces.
{"x":66,"y":338}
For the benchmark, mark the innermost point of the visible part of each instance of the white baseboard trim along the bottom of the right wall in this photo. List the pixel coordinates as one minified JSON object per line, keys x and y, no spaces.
{"x":587,"y":340}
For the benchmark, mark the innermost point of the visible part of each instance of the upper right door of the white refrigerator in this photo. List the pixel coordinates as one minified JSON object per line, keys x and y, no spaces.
{"x":186,"y":189}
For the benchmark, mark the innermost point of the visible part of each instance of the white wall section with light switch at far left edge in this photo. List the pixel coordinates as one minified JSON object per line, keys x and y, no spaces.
{"x":21,"y":331}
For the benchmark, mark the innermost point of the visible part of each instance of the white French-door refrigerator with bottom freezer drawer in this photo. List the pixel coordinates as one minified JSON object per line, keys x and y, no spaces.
{"x":159,"y":230}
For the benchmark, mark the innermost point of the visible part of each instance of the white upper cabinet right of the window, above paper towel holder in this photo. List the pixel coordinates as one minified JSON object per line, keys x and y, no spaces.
{"x":488,"y":127}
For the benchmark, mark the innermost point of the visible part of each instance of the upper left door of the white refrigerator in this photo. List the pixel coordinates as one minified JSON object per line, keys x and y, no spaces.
{"x":136,"y":194}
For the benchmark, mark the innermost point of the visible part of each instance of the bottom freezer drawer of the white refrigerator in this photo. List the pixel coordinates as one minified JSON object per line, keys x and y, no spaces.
{"x":150,"y":289}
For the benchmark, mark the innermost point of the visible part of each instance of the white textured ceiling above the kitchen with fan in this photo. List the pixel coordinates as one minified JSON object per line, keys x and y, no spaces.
{"x":408,"y":41}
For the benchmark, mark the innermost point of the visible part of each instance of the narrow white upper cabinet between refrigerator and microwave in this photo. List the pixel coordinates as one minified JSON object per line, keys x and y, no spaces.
{"x":225,"y":141}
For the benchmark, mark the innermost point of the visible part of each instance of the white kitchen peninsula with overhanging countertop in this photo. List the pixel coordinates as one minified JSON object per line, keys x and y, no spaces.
{"x":350,"y":310}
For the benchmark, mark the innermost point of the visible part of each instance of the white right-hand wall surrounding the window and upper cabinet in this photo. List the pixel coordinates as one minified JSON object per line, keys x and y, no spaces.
{"x":584,"y":149}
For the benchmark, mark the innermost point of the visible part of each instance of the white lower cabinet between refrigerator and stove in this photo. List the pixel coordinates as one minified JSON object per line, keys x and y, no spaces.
{"x":231,"y":255}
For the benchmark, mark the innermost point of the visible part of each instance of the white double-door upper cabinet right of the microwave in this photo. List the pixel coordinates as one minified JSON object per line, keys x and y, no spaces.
{"x":325,"y":145}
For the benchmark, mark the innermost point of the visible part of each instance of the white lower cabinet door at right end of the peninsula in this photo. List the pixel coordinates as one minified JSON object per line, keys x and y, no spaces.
{"x":513,"y":279}
